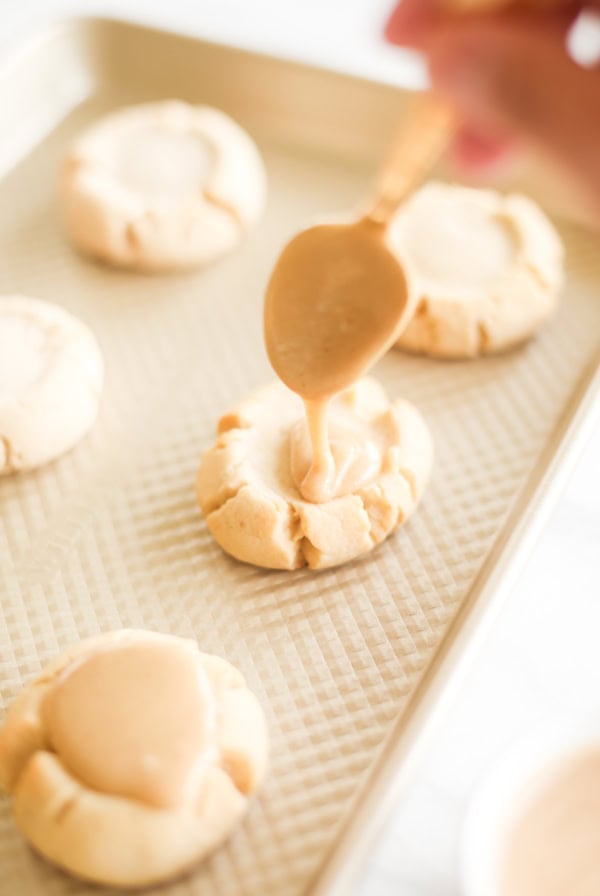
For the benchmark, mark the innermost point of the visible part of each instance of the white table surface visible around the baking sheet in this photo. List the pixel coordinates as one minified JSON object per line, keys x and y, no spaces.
{"x":510,"y":688}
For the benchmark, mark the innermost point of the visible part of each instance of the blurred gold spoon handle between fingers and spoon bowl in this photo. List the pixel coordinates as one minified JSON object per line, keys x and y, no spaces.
{"x":418,"y":146}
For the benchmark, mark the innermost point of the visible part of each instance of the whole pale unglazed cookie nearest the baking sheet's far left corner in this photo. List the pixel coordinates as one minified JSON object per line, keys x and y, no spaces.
{"x":162,"y":186}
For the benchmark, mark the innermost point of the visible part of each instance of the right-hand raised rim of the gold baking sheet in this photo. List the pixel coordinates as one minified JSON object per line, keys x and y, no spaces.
{"x":425,"y":710}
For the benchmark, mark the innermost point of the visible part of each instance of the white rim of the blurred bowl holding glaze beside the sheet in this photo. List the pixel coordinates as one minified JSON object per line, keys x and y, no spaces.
{"x":497,"y":800}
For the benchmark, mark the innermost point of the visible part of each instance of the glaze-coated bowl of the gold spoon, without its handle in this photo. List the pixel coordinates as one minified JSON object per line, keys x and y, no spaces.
{"x":336,"y":301}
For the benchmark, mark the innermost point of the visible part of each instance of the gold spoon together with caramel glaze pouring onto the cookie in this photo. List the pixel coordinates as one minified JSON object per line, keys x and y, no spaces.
{"x":336,"y":301}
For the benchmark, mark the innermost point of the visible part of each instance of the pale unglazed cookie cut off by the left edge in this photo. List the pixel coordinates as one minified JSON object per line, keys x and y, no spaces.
{"x":51,"y":375}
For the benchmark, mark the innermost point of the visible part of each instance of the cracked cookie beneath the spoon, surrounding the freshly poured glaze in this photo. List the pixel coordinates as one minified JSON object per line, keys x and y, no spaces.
{"x":248,"y":494}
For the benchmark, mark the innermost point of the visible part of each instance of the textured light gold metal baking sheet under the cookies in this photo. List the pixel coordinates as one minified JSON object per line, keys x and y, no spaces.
{"x":110,"y":535}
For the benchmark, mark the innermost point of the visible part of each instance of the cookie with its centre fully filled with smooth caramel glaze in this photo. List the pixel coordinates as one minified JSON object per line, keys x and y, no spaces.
{"x":132,"y":757}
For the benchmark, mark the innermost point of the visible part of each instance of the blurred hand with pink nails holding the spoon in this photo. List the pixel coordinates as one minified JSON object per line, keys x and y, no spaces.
{"x":511,"y":77}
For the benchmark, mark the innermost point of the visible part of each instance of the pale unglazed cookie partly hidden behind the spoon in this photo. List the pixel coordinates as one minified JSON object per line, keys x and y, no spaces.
{"x":488,"y":269}
